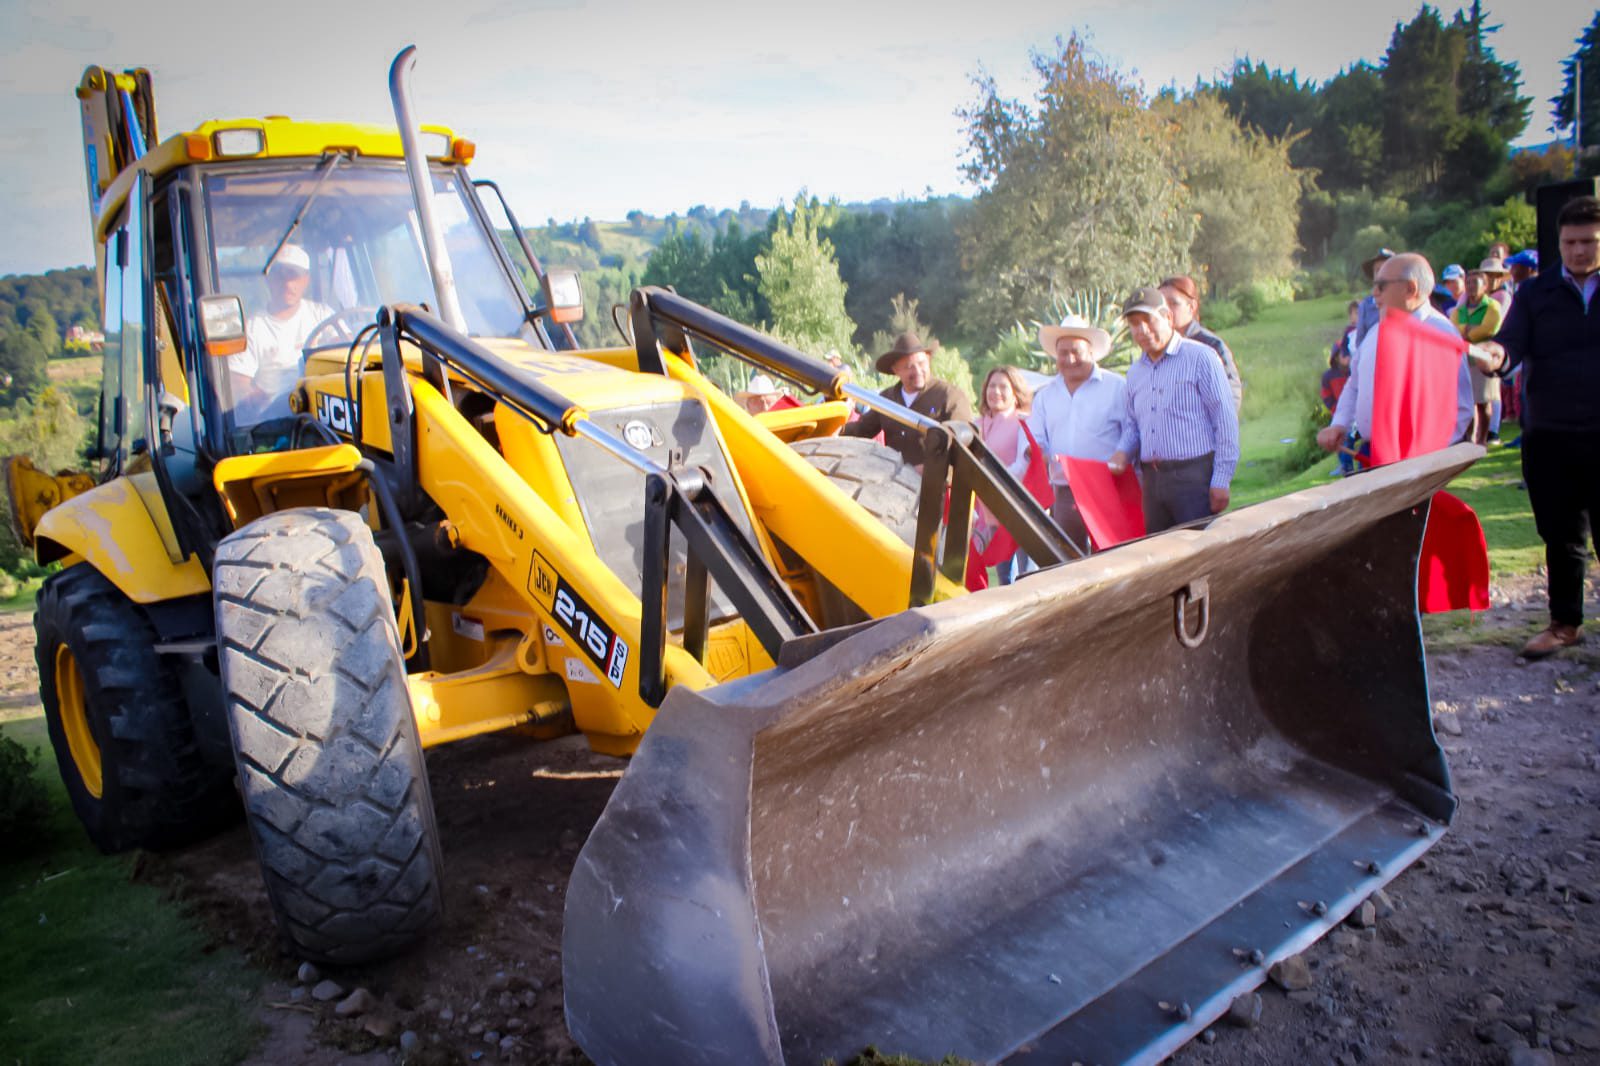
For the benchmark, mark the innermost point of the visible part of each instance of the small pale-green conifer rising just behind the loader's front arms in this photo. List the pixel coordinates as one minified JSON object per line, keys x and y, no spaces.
{"x":799,"y":281}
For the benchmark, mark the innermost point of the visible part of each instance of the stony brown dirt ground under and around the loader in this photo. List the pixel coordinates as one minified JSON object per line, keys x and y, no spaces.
{"x":1486,"y":952}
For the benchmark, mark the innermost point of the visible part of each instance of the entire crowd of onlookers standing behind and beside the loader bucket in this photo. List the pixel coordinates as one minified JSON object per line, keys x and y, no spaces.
{"x":1175,"y":417}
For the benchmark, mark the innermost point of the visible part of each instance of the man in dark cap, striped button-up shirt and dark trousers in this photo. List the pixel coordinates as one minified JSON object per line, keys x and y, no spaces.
{"x":1180,"y":420}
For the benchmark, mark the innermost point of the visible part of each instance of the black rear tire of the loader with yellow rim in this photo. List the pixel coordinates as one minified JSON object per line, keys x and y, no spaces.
{"x":119,"y":723}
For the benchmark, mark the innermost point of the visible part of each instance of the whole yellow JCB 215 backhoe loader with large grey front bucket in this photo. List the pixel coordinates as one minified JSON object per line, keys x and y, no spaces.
{"x":361,"y":494}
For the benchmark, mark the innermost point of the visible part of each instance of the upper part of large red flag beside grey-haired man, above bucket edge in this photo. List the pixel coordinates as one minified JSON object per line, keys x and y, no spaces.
{"x":1414,"y":388}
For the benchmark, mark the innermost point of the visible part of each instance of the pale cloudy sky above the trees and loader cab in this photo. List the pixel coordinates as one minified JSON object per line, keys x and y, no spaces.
{"x":596,"y":110}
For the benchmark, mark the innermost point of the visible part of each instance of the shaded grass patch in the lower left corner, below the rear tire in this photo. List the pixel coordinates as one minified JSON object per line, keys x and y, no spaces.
{"x":102,"y":971}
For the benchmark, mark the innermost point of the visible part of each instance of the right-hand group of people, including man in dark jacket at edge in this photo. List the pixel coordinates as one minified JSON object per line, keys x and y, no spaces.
{"x":1530,"y":331}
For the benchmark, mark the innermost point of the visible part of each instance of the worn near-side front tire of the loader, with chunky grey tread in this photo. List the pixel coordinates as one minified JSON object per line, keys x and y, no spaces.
{"x":330,"y":764}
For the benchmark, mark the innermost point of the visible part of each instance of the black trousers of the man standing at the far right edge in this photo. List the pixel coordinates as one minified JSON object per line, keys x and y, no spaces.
{"x":1562,"y":473}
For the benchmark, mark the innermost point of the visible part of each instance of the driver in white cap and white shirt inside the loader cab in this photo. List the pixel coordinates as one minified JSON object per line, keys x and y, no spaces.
{"x":265,"y":374}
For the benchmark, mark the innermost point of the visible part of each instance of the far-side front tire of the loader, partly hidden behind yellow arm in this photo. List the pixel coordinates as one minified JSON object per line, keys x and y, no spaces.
{"x":879,"y":479}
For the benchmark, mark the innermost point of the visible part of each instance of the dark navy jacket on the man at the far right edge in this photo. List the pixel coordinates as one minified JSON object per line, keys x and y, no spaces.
{"x":1558,"y":342}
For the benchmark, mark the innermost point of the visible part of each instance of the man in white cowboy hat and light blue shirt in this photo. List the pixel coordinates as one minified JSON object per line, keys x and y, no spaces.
{"x":1078,"y":414}
